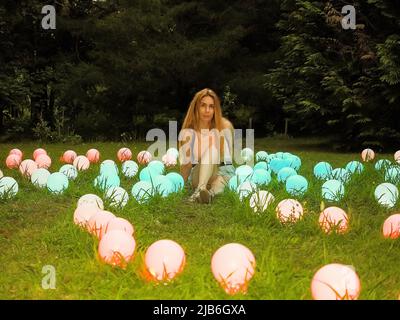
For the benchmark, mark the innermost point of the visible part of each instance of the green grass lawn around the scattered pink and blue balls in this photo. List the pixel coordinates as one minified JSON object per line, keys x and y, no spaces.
{"x":37,"y":229}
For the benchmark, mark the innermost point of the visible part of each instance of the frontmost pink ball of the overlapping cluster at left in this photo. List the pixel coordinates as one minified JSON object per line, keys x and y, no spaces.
{"x":117,"y":248}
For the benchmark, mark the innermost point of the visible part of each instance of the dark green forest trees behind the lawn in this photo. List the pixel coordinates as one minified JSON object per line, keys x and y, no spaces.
{"x":114,"y":69}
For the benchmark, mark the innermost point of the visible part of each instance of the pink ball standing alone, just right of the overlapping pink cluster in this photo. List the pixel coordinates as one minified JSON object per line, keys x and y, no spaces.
{"x":164,"y":260}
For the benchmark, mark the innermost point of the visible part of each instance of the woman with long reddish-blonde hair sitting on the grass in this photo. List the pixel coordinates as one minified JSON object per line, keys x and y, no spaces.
{"x":205,"y":140}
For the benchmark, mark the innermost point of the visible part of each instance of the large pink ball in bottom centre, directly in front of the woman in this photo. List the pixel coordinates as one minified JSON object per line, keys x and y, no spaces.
{"x":233,"y":266}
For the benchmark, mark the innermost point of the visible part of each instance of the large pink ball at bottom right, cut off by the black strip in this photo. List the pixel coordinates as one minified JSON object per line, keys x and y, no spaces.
{"x":335,"y":282}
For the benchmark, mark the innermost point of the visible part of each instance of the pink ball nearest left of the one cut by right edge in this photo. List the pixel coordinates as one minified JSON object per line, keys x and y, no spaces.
{"x":333,"y":219}
